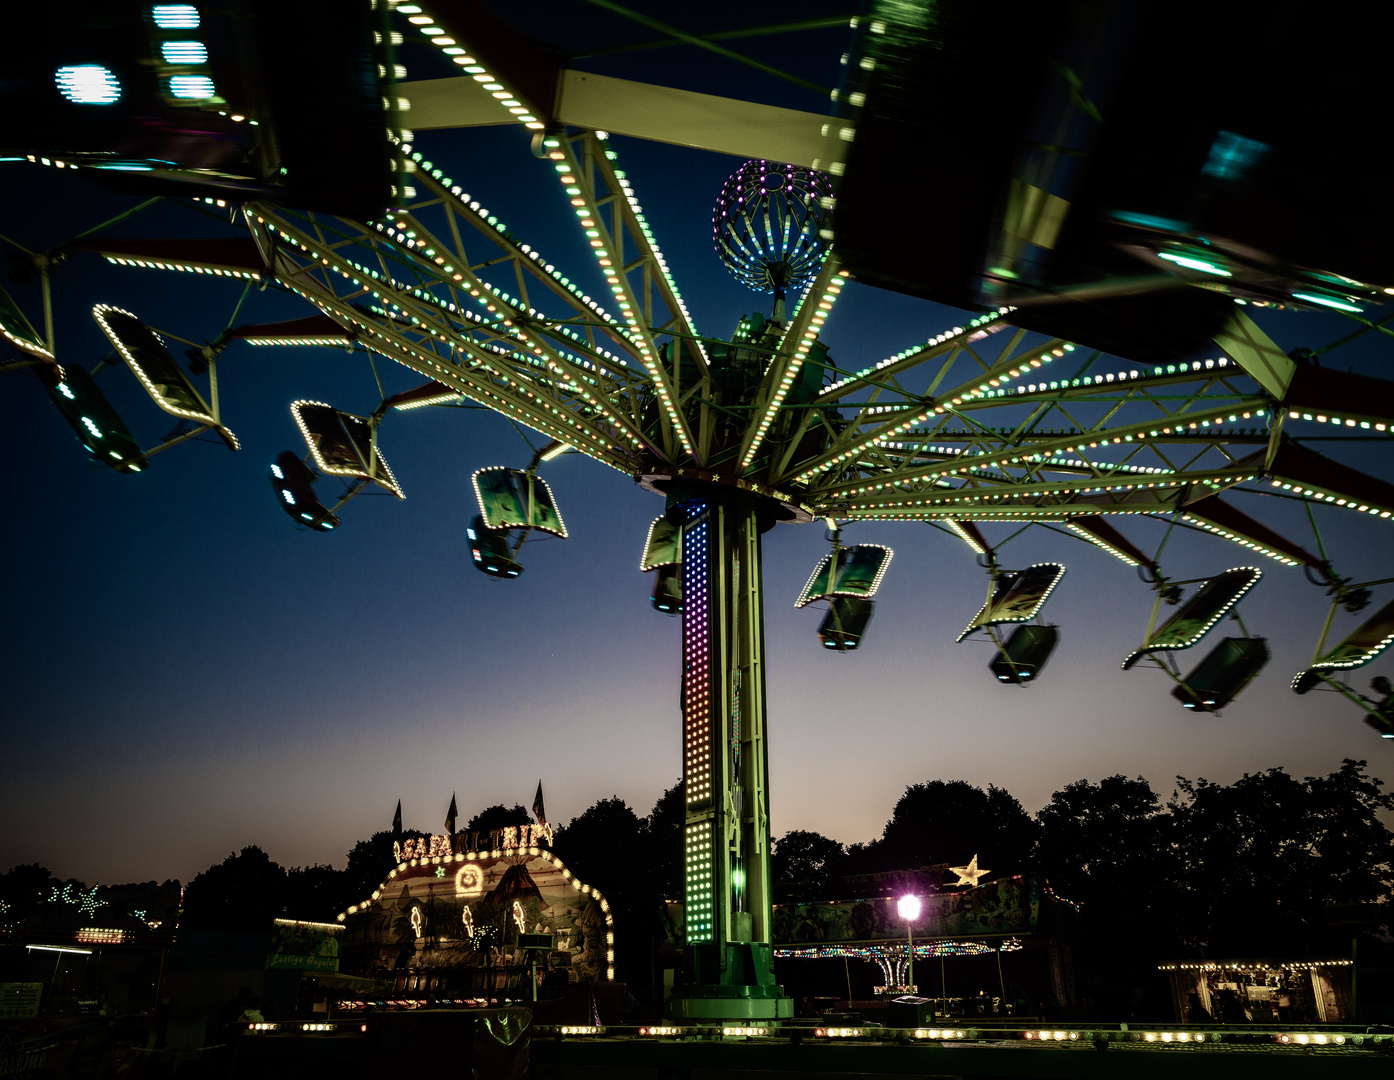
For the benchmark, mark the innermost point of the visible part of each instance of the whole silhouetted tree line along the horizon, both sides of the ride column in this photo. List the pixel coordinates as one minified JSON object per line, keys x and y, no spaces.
{"x":1248,"y":869}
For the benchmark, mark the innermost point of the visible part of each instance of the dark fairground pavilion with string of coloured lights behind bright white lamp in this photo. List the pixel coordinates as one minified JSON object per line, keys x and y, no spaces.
{"x":1017,"y":927}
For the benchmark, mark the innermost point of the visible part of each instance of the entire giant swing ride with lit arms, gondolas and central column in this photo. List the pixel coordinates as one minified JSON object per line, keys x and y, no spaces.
{"x":1003,"y":420}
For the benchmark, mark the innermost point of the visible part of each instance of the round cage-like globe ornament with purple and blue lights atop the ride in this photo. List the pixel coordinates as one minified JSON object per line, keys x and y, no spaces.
{"x":767,"y":224}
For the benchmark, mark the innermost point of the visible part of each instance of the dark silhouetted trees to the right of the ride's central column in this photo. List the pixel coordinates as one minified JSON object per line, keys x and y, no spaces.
{"x":1243,"y":870}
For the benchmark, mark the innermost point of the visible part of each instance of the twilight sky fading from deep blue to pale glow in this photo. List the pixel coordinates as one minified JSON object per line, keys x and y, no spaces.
{"x":186,"y":674}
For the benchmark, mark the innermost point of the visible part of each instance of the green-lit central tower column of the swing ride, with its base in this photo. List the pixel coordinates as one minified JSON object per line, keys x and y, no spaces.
{"x":728,"y":954}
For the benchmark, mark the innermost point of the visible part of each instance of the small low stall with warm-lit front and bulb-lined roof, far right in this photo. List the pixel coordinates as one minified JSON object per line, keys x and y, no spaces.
{"x":1266,"y":992}
